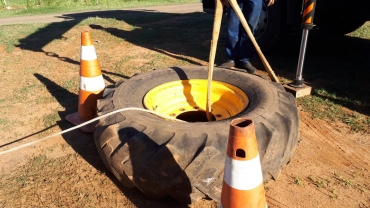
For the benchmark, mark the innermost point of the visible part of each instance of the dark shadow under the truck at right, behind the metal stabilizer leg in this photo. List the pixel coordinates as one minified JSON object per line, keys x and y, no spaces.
{"x":340,"y":65}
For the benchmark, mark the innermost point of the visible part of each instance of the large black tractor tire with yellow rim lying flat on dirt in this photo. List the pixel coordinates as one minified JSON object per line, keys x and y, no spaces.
{"x":186,"y":160}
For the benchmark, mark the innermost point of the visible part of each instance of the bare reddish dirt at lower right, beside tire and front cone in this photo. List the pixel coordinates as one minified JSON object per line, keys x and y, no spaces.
{"x":326,"y":170}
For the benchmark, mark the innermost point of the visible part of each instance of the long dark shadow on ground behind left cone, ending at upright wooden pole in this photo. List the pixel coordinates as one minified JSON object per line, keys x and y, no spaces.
{"x":175,"y":35}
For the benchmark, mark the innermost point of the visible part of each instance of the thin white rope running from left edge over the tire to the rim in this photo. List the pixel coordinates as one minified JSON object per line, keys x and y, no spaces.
{"x":87,"y":122}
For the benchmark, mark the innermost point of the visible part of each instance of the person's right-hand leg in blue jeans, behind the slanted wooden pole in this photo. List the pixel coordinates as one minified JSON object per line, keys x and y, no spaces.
{"x":251,"y":10}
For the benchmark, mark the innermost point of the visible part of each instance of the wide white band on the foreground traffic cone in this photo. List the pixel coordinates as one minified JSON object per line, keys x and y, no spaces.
{"x":243,"y":175}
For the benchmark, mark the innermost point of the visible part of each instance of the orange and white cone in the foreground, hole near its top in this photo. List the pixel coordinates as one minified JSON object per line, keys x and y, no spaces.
{"x":243,"y":180}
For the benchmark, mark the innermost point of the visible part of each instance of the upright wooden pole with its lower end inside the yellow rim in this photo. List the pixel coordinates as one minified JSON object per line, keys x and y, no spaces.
{"x":212,"y":55}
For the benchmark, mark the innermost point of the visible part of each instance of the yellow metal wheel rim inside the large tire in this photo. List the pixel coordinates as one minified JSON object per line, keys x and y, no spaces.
{"x":186,"y":100}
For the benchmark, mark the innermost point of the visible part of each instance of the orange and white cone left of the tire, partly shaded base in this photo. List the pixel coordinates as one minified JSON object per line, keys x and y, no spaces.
{"x":91,"y":85}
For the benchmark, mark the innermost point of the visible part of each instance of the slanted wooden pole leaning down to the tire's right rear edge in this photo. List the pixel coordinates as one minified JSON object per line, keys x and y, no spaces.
{"x":239,"y":13}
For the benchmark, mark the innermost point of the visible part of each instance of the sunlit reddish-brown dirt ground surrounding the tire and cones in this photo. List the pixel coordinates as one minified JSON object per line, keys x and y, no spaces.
{"x":330,"y":167}
